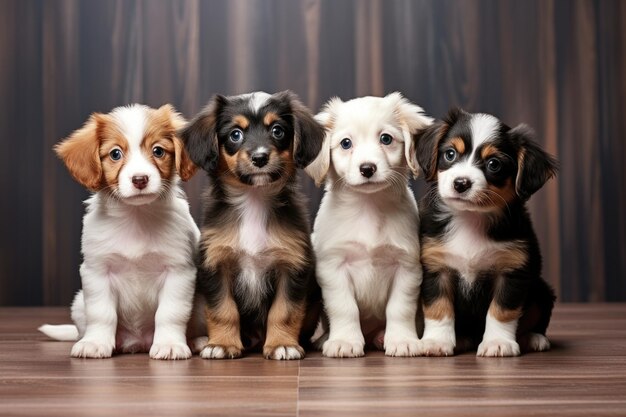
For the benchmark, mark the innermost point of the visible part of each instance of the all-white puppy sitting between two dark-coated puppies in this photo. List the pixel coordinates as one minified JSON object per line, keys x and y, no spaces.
{"x":364,"y":234}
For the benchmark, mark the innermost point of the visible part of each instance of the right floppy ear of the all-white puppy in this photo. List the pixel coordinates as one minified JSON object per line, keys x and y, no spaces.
{"x":412,"y":119}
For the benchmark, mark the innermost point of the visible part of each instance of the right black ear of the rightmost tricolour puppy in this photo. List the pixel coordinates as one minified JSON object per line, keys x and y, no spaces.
{"x":534,"y":165}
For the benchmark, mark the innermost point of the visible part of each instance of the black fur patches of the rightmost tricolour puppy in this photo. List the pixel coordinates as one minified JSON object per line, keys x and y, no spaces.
{"x":523,"y":287}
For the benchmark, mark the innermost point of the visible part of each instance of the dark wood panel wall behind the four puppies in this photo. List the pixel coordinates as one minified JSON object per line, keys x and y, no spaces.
{"x":558,"y":65}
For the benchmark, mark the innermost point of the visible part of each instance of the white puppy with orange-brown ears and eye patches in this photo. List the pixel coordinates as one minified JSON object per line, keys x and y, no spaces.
{"x":138,"y":239}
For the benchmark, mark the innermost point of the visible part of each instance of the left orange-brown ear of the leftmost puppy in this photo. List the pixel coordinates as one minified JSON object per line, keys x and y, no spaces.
{"x":80,"y":153}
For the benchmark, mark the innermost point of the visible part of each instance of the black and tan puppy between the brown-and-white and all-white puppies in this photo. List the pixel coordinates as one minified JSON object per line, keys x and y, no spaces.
{"x":256,"y":280}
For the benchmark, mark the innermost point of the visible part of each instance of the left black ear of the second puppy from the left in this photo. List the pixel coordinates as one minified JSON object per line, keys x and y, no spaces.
{"x":200,"y":135}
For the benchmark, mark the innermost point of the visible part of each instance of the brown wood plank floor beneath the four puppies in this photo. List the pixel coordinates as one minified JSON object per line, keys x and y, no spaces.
{"x":583,"y":375}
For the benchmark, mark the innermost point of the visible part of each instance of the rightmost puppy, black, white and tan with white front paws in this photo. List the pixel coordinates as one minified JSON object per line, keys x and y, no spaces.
{"x":481,"y":259}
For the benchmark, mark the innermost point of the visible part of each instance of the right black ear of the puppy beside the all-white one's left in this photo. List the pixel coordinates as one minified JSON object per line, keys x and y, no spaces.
{"x":308,"y":133}
